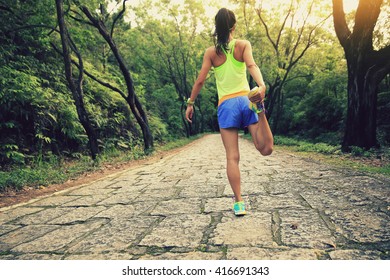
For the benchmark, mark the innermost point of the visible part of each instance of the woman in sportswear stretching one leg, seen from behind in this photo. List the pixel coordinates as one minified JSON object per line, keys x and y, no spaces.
{"x":230,"y":59}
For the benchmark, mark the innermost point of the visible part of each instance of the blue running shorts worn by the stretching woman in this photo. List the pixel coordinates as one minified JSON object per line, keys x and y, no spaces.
{"x":235,"y":113}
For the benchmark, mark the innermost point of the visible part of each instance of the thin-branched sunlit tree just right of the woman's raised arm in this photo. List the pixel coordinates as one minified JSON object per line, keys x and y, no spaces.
{"x":290,"y":39}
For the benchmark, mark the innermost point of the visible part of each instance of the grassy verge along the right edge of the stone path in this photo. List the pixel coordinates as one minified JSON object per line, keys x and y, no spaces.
{"x":372,"y":161}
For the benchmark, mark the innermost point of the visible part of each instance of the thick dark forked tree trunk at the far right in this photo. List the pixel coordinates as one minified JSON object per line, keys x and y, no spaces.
{"x":366,"y":66}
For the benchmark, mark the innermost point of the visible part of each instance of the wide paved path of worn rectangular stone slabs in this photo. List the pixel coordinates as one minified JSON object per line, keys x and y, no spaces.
{"x":180,"y":208}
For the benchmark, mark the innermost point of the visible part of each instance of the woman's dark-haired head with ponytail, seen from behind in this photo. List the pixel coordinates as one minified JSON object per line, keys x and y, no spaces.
{"x":224,"y":23}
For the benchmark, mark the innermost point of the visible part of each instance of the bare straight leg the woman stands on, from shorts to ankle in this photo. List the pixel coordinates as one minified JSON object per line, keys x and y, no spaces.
{"x":230,"y":141}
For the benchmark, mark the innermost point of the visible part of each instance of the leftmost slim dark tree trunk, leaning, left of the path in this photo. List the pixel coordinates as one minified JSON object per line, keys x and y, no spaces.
{"x":77,"y":90}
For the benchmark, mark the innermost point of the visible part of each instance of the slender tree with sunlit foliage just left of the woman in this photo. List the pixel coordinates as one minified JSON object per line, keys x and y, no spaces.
{"x":174,"y":50}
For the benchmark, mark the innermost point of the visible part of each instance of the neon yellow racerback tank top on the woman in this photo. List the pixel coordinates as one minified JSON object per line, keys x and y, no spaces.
{"x":231,"y":75}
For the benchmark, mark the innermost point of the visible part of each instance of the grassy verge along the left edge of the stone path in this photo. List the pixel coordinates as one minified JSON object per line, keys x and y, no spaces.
{"x":55,"y":170}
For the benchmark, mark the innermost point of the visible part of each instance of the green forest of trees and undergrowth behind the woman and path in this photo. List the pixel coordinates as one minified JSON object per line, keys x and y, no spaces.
{"x":82,"y":79}
